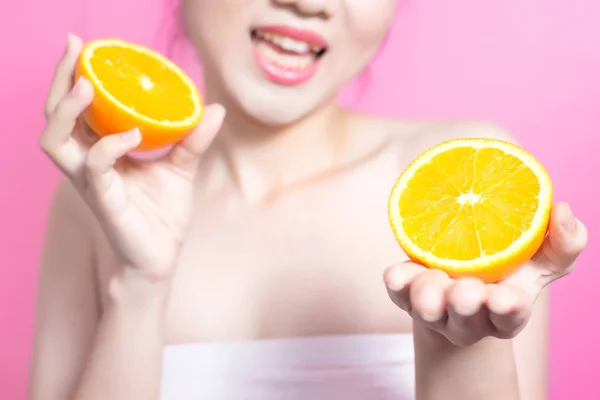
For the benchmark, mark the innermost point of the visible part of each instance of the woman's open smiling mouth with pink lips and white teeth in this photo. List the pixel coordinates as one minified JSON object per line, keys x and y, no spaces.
{"x":288,"y":56}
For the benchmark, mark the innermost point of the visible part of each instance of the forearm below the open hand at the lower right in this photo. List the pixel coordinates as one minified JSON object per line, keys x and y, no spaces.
{"x":483,"y":371}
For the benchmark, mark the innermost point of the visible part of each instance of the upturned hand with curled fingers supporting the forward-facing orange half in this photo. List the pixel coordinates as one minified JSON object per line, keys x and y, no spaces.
{"x":466,"y":310}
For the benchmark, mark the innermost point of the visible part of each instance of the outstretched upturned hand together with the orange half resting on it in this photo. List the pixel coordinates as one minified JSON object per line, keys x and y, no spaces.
{"x":476,"y":218}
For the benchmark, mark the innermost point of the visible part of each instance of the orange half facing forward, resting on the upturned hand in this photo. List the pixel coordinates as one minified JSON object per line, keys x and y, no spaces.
{"x":472,"y":207}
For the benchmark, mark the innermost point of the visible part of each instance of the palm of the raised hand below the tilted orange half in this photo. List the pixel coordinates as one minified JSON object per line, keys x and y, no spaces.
{"x":146,"y":211}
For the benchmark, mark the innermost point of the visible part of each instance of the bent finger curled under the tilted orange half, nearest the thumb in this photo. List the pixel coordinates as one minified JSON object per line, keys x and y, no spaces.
{"x":101,"y":158}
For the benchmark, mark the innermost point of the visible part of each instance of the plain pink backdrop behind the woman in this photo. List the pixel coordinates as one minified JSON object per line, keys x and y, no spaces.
{"x":530,"y":65}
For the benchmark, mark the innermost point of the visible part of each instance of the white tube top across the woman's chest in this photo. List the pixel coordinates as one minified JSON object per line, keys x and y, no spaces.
{"x":357,"y":367}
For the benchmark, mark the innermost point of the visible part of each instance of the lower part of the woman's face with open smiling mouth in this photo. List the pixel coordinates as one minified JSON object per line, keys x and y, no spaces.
{"x":277,"y":60}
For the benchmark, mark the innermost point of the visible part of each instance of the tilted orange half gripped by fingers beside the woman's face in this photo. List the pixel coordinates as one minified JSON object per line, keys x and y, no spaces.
{"x":136,"y":87}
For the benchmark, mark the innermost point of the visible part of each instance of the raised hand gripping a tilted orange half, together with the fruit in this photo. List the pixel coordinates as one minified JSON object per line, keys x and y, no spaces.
{"x":144,"y":208}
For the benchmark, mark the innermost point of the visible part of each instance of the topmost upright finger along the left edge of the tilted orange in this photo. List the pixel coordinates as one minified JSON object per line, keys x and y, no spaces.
{"x":63,"y":75}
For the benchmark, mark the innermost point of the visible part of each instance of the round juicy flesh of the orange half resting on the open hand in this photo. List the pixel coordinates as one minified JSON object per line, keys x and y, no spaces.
{"x":506,"y":189}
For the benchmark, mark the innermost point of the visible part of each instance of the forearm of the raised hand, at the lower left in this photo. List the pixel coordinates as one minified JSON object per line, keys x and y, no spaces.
{"x":126,"y":360}
